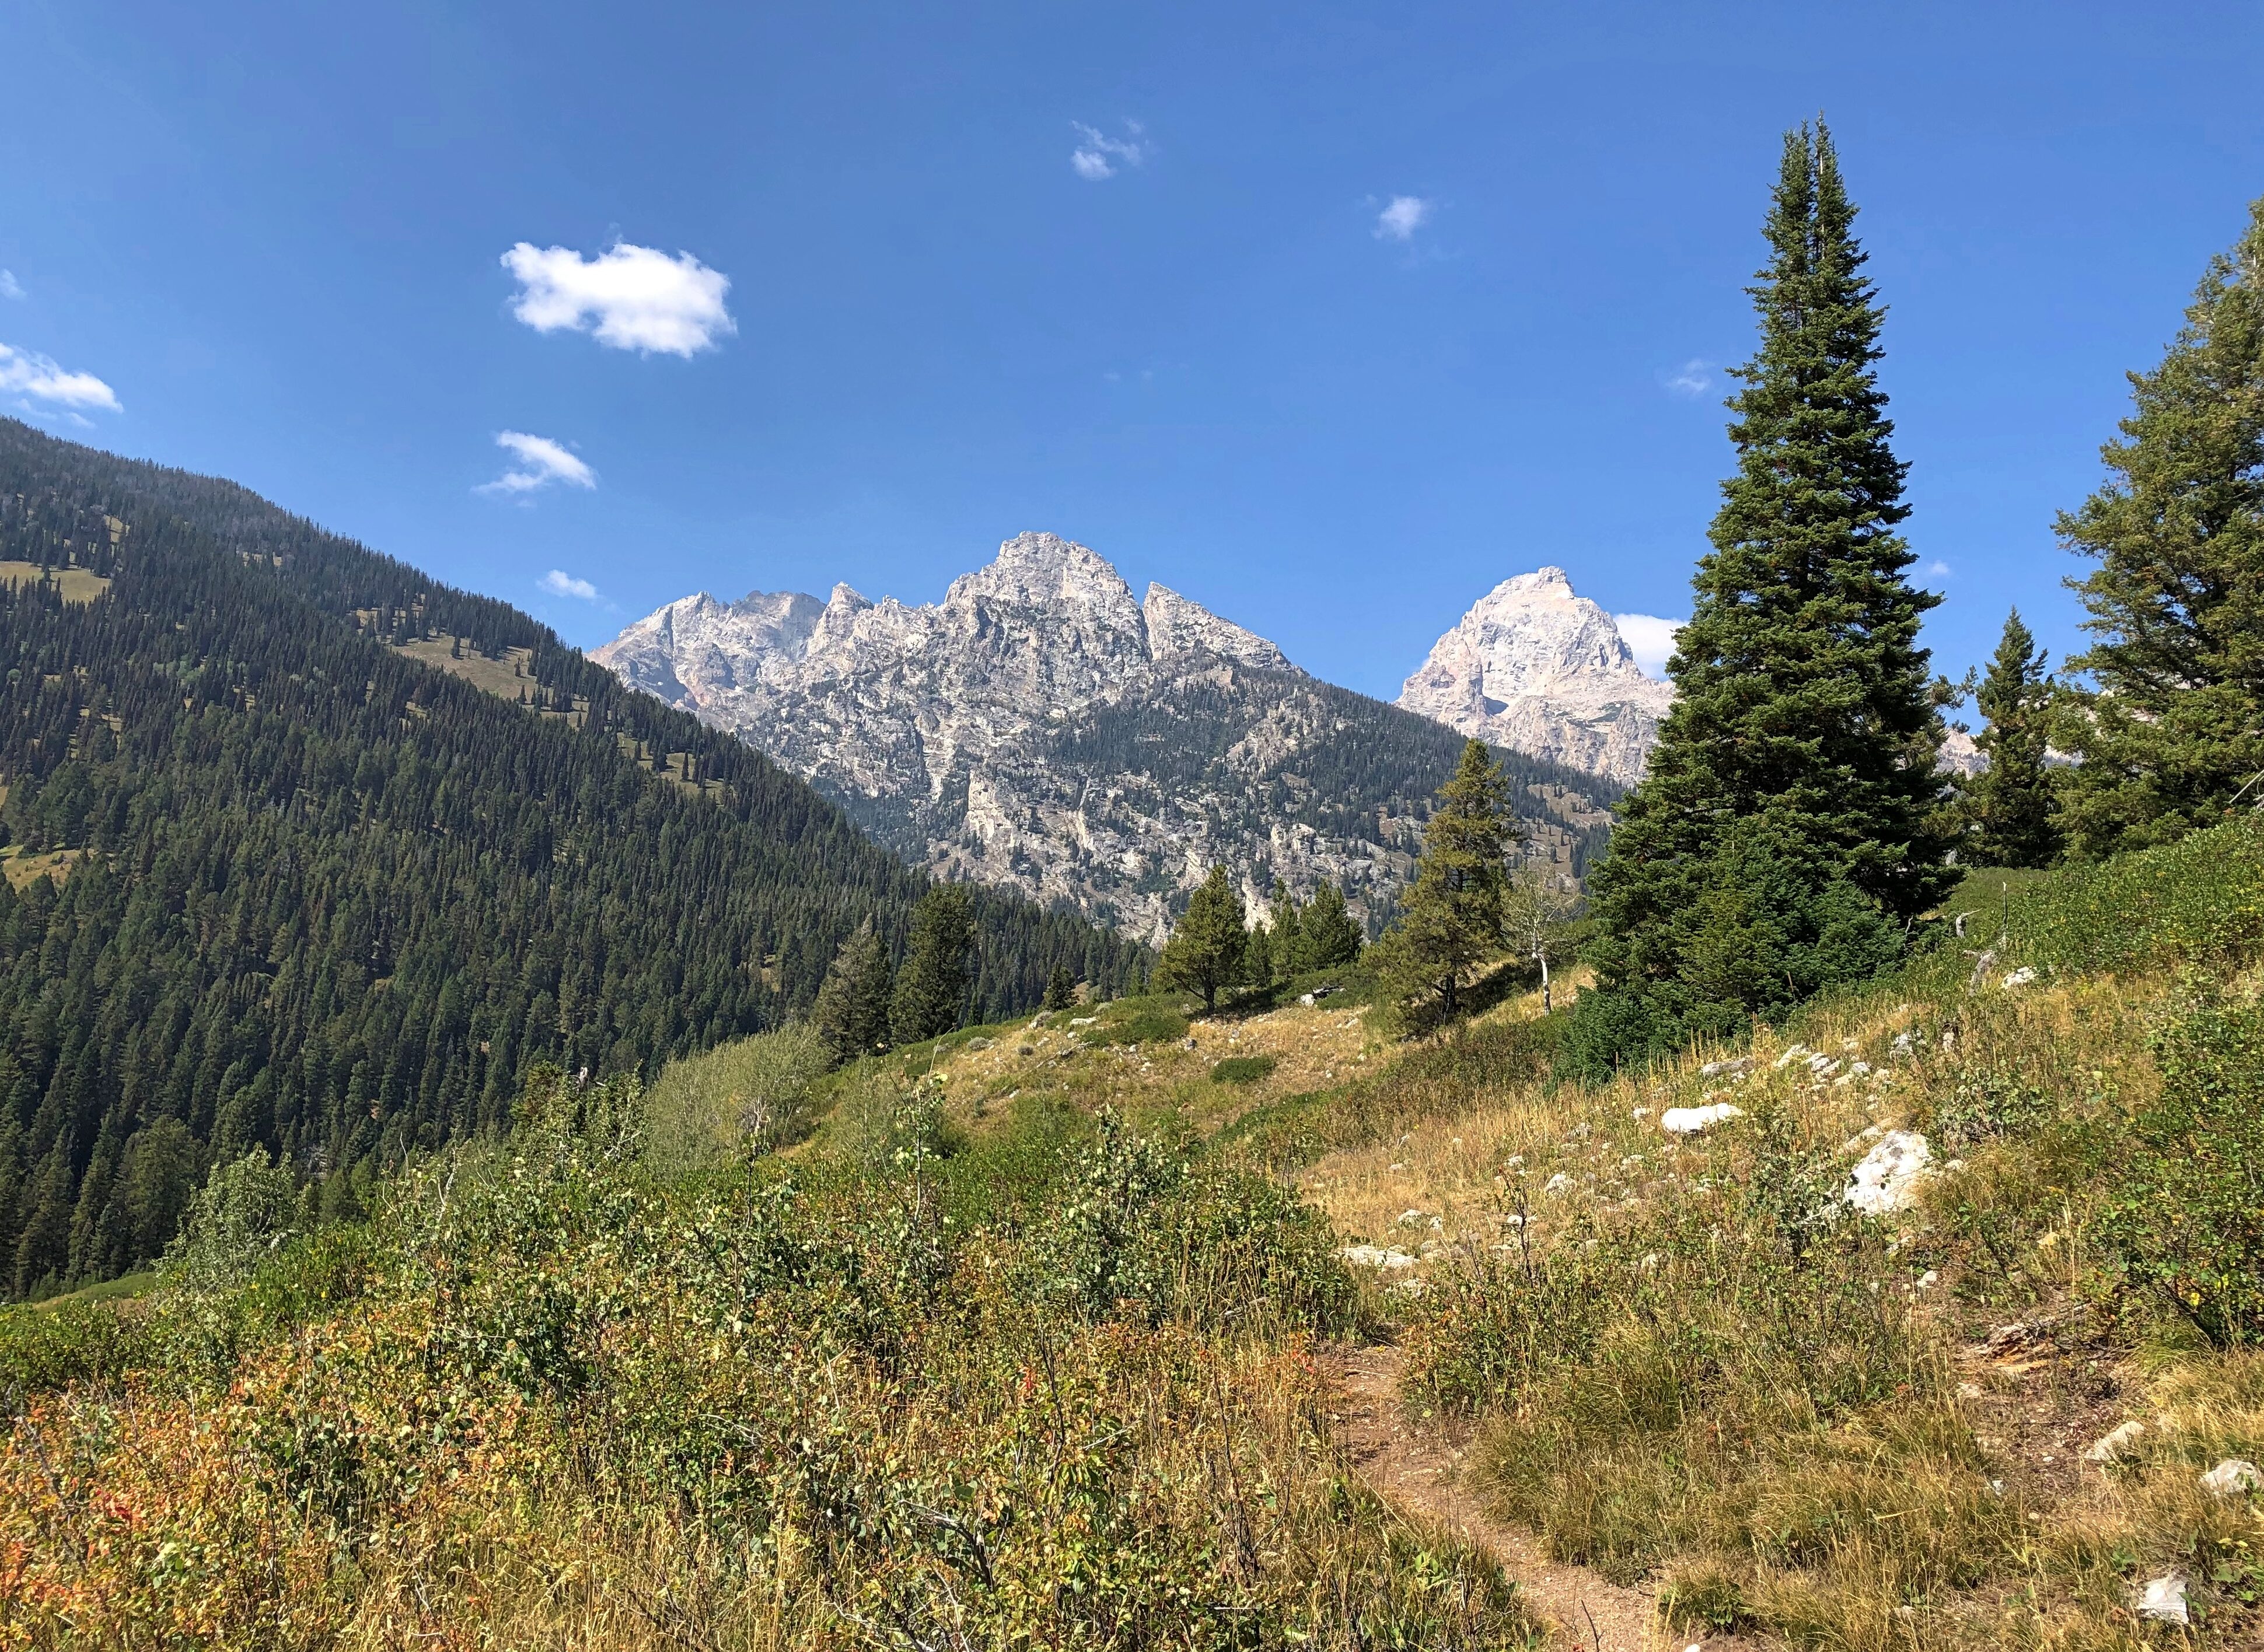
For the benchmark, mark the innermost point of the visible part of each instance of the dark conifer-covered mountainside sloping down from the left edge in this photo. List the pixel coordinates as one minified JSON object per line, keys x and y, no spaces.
{"x":273,"y":881}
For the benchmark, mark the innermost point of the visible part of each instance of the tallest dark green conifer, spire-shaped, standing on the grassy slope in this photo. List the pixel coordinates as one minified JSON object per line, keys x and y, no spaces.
{"x":1806,"y":723}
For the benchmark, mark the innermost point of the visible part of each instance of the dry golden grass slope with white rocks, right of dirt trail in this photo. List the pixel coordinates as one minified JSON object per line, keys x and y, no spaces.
{"x":1692,"y":1361}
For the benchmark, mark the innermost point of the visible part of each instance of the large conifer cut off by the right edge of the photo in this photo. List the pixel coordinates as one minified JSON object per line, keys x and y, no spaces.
{"x":2177,"y":605}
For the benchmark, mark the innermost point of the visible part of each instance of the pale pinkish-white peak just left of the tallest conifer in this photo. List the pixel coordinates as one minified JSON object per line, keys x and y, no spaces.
{"x":1538,"y":669}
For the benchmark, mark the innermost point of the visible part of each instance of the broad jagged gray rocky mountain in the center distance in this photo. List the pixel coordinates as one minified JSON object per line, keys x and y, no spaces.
{"x":1043,"y":728}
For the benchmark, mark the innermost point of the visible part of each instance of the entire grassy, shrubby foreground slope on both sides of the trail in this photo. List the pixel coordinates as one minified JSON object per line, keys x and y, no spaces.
{"x":1018,"y":1339}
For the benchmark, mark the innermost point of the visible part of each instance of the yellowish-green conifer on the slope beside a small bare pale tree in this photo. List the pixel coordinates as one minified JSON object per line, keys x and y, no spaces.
{"x":1450,"y":920}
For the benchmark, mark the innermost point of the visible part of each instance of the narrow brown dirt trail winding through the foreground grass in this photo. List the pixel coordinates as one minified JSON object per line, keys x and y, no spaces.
{"x":1421,"y":1474}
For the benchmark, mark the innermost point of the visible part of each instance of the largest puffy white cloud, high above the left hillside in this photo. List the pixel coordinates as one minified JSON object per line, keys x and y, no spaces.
{"x":631,"y":298}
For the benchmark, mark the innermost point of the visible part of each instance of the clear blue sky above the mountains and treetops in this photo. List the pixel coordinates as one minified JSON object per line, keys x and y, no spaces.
{"x":1344,"y":316}
